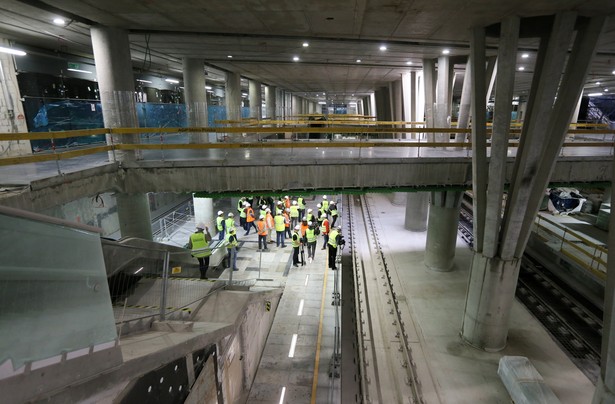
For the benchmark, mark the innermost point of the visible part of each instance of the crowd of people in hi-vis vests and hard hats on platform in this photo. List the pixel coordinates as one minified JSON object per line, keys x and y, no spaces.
{"x":279,"y":216}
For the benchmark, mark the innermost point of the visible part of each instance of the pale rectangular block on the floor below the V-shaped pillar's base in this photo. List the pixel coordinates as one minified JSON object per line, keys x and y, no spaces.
{"x":523,"y":382}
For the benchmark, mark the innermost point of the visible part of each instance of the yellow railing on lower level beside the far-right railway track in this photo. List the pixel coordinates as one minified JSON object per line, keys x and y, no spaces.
{"x":575,"y":246}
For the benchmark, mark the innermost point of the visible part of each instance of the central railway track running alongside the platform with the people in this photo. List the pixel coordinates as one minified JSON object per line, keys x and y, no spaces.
{"x":386,"y":368}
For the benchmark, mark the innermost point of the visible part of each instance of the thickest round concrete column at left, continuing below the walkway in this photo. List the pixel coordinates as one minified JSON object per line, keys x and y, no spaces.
{"x":116,"y":85}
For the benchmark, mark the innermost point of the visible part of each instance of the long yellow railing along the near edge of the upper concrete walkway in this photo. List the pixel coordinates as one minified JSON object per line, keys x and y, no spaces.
{"x":231,"y":142}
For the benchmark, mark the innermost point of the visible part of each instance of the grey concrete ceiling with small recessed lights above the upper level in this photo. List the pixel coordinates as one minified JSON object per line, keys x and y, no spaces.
{"x":263,"y":36}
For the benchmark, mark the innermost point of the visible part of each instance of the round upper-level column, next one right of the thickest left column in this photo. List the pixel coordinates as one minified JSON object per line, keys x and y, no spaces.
{"x":195,"y":97}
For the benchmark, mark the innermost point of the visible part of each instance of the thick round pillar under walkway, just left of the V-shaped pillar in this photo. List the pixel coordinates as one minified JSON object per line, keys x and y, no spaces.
{"x":442,"y":230}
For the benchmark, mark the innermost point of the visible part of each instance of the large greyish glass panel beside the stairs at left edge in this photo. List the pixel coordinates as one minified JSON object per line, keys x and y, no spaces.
{"x":53,"y":291}
